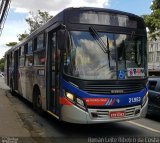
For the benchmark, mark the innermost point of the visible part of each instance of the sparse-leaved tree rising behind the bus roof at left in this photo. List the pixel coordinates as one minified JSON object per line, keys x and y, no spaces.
{"x":37,"y":20}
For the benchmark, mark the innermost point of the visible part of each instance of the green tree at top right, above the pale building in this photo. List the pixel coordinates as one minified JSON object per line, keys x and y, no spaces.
{"x":153,"y":20}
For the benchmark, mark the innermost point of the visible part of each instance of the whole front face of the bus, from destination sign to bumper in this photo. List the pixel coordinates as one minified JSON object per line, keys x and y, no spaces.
{"x":105,"y":69}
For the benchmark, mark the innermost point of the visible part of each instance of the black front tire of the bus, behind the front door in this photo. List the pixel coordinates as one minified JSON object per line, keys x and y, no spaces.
{"x":37,"y":101}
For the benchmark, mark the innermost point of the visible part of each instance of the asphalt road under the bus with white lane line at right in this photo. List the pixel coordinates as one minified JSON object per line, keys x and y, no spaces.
{"x":46,"y":128}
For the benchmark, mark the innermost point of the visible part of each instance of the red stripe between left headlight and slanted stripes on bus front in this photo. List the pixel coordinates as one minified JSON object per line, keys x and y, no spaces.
{"x":96,"y":101}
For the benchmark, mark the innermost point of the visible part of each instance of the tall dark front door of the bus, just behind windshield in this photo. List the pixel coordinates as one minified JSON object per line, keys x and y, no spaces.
{"x":52,"y":74}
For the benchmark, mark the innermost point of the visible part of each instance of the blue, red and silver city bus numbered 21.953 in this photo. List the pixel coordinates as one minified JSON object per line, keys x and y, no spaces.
{"x":85,"y":65}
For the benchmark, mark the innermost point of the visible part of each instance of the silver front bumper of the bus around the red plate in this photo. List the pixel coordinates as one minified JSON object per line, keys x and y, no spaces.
{"x":74,"y":114}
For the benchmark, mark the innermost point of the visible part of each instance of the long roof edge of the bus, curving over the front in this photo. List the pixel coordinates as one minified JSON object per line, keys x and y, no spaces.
{"x":60,"y":18}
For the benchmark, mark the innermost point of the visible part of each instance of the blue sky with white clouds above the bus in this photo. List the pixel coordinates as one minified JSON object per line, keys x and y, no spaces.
{"x":19,"y":10}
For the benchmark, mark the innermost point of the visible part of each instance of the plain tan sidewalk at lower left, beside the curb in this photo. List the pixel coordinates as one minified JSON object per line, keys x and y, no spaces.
{"x":10,"y":123}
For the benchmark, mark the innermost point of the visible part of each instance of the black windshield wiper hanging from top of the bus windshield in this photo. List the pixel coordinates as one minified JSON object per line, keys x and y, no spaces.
{"x":103,"y":46}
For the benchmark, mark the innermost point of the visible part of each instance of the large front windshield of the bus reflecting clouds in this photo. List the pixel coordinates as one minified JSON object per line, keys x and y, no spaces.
{"x":86,"y":60}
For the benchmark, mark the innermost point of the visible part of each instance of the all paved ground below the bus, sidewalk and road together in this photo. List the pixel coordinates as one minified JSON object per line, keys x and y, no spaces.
{"x":18,"y":119}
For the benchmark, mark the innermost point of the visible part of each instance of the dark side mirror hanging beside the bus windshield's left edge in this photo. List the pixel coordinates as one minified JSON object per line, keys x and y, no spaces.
{"x":62,"y":39}
